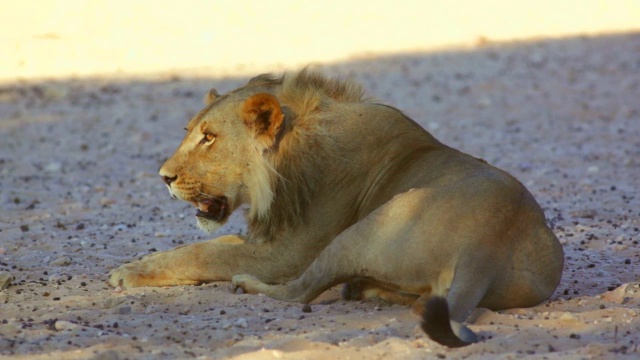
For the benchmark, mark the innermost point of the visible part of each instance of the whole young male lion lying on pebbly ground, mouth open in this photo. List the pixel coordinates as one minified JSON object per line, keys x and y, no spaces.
{"x":344,"y":190}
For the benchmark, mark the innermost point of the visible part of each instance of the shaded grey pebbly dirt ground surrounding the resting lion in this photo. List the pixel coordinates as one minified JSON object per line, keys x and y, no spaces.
{"x":80,"y":195}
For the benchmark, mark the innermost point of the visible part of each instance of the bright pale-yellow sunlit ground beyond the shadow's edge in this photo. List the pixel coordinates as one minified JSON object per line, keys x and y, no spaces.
{"x":76,"y":38}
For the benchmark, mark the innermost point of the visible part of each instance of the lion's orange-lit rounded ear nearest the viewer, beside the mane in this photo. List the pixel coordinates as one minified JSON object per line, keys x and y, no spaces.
{"x":263,"y":115}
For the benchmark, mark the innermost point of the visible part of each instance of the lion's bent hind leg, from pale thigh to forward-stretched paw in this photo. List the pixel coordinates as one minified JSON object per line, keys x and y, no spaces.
{"x":359,"y":252}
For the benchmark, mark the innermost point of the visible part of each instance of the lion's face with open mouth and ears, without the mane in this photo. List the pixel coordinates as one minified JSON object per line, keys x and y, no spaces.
{"x":220,"y":161}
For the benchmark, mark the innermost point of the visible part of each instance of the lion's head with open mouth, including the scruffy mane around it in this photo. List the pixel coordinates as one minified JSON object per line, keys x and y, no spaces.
{"x":263,"y":144}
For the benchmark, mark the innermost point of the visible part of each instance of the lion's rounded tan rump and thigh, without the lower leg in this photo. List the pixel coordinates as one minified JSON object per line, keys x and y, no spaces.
{"x":482,"y":230}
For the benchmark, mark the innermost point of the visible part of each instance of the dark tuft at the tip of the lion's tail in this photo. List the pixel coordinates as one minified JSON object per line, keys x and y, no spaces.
{"x":436,"y":323}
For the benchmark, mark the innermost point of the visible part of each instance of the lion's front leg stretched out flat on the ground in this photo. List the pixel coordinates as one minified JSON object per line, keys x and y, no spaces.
{"x":213,"y":260}
